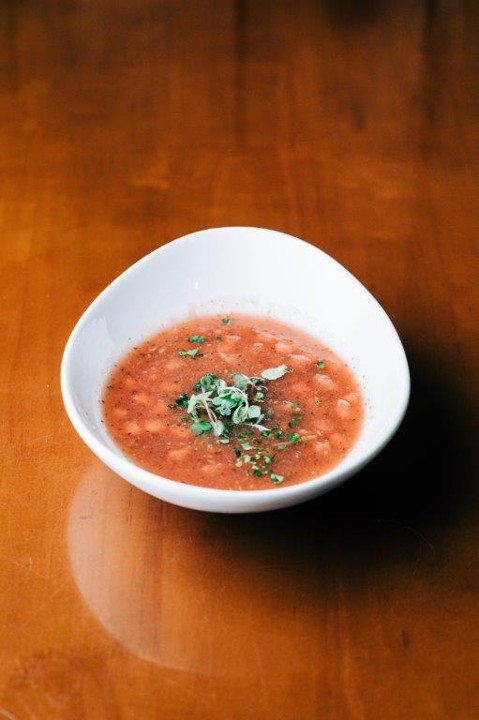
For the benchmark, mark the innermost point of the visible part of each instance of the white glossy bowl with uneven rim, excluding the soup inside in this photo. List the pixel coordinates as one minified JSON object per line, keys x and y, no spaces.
{"x":254,"y":271}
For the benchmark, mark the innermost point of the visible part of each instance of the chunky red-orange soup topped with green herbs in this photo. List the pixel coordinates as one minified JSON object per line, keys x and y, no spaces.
{"x":238,"y":402}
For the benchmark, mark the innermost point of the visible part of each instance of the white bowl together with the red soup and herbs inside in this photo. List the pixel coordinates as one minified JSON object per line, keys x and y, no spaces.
{"x":235,"y":370}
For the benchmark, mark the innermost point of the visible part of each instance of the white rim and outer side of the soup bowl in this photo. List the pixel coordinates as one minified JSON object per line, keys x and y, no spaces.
{"x":255,"y":500}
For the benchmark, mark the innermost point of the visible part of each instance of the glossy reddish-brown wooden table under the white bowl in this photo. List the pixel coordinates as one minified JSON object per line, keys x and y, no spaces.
{"x":355,"y":126}
